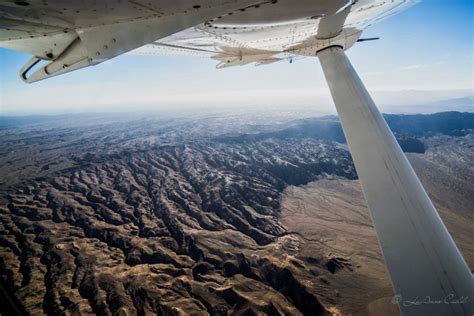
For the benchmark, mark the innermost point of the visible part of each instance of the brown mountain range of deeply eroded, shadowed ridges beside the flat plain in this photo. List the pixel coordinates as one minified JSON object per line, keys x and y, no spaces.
{"x":169,"y":229}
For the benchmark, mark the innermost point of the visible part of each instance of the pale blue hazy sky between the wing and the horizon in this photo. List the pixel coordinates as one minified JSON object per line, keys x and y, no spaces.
{"x":425,"y":55}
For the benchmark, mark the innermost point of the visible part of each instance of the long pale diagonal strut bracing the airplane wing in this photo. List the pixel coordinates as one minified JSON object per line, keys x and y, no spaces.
{"x":428,"y":273}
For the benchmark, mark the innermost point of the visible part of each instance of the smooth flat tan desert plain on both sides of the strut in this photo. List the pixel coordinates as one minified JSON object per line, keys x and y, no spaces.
{"x":332,"y":217}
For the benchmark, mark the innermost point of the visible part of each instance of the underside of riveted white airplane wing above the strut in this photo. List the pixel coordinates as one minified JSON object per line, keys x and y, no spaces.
{"x":63,"y":36}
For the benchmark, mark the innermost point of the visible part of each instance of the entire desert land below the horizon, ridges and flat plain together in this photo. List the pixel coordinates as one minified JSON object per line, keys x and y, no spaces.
{"x":128,"y":215}
